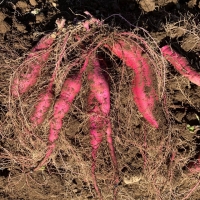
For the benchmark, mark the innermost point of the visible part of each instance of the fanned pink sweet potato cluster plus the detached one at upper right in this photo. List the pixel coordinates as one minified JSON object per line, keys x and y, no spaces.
{"x":128,"y":48}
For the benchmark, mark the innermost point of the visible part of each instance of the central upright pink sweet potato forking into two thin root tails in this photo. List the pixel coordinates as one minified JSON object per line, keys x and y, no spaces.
{"x":99,"y":122}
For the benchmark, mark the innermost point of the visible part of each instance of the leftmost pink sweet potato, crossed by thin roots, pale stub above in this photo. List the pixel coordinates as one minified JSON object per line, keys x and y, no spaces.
{"x":33,"y":64}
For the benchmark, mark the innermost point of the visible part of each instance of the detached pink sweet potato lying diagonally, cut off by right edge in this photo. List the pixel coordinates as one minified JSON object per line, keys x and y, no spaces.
{"x":181,"y":64}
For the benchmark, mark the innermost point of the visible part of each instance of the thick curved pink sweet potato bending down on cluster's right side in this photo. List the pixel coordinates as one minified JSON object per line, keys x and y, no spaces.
{"x":144,"y":93}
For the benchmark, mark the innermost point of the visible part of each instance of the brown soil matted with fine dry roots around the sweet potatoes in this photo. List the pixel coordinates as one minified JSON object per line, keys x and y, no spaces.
{"x":152,"y":162}
